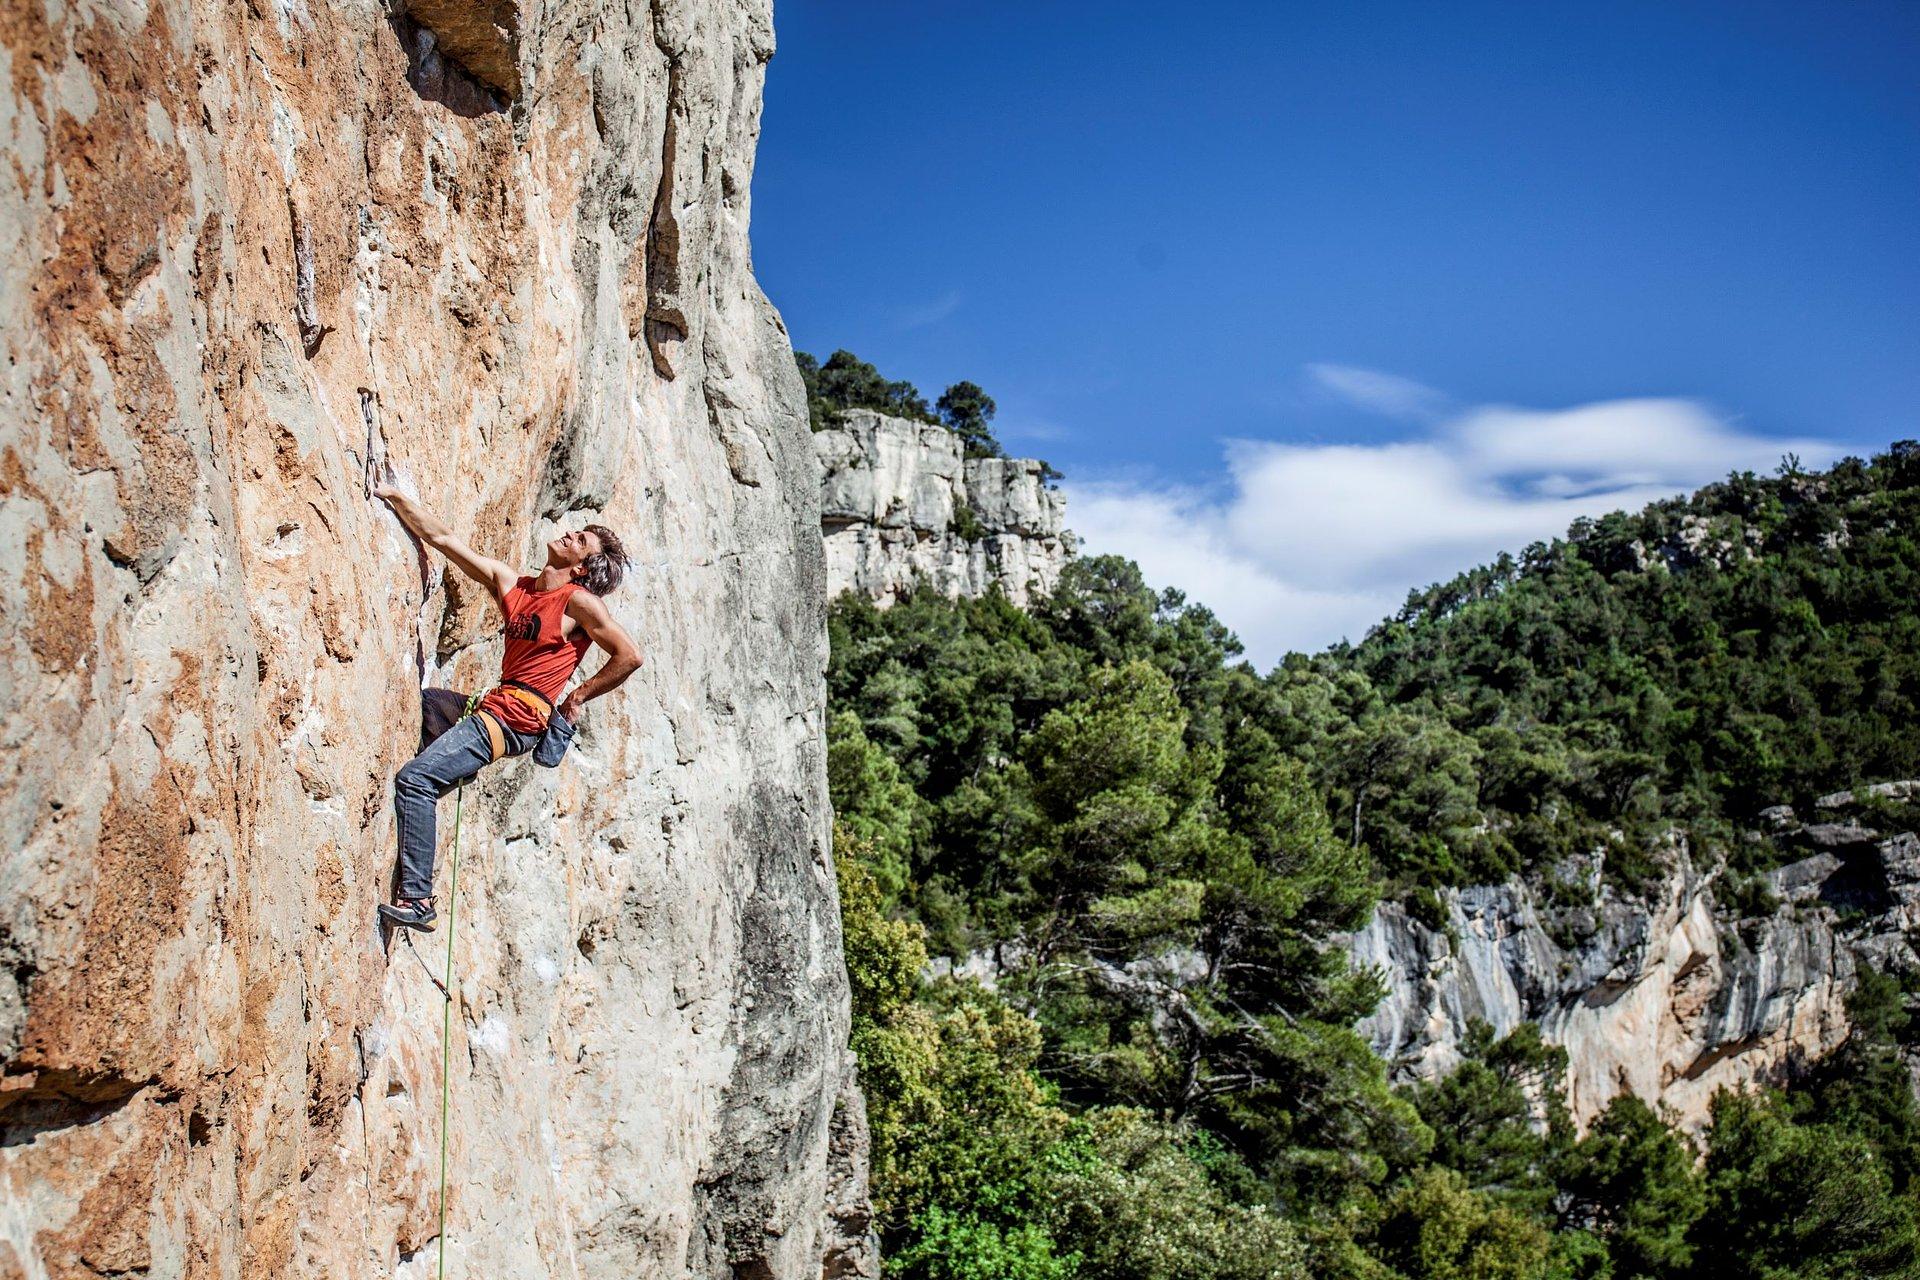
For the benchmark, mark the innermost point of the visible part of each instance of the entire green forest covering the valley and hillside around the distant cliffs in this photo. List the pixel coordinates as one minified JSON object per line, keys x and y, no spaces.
{"x":1151,"y":847}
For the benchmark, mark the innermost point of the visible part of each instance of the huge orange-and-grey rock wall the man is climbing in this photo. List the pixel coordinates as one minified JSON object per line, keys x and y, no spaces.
{"x":254,"y":260}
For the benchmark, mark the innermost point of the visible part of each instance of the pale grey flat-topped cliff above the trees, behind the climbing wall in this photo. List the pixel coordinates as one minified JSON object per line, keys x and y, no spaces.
{"x":900,"y":504}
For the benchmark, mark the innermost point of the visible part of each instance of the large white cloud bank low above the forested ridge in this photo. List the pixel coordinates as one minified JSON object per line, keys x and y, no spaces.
{"x":1308,"y":544}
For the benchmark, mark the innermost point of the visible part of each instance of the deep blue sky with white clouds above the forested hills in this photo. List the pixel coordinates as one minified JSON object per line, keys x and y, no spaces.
{"x":1316,"y":304}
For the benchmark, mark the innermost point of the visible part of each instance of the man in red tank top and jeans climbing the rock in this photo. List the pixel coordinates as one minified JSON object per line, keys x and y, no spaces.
{"x":552,"y":617}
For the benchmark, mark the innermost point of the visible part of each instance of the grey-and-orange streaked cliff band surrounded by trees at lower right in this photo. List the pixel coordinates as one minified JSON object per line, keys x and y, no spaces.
{"x":1662,"y":993}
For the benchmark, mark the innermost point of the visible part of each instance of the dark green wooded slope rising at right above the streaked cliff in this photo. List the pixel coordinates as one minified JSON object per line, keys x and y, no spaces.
{"x":1696,"y":663}
